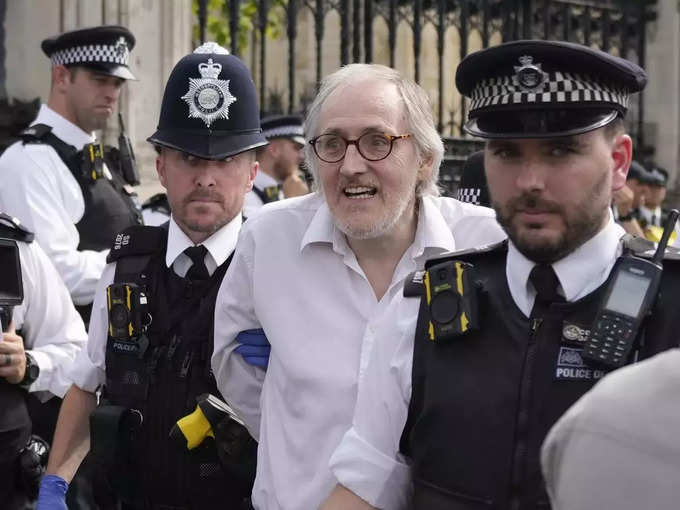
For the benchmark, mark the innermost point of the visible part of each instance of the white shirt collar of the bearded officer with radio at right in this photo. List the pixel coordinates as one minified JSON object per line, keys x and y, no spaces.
{"x":579,"y":273}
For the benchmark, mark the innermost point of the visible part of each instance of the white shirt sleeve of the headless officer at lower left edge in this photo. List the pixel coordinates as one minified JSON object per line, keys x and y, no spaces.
{"x":52,"y":330}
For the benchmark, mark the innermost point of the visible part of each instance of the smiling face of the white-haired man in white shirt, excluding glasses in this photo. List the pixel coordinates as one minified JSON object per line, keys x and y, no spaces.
{"x":370,"y":199}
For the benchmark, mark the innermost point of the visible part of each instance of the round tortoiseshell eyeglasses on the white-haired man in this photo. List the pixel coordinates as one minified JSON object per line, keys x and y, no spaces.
{"x":372,"y":146}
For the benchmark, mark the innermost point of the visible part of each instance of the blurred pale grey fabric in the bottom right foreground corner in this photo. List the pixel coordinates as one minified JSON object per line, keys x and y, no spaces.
{"x":617,"y":447}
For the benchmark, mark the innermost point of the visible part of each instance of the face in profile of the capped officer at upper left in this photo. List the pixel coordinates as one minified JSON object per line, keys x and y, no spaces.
{"x":90,"y":97}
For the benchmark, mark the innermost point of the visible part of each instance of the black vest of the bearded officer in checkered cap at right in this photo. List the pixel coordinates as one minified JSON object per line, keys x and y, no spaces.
{"x":482,"y":404}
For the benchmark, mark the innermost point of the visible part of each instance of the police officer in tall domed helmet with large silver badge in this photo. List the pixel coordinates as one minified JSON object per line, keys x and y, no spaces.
{"x":154,"y":363}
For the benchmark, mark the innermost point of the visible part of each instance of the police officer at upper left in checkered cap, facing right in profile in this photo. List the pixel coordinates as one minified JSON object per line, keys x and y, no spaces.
{"x":53,"y":179}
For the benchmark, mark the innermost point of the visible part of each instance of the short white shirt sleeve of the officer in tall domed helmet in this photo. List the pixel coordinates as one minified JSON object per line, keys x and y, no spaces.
{"x":89,"y":369}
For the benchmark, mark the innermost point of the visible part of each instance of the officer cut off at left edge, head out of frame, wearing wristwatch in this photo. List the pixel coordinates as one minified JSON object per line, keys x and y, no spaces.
{"x":41,"y":337}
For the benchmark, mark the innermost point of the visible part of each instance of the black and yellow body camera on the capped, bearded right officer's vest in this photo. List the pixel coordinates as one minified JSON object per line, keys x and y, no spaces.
{"x":452,"y":298}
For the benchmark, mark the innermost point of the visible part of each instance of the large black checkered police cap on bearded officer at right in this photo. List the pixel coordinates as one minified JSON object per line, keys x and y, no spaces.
{"x":534,"y":89}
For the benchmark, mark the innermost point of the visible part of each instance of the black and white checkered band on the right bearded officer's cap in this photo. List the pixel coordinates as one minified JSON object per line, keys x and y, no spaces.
{"x":559,"y":88}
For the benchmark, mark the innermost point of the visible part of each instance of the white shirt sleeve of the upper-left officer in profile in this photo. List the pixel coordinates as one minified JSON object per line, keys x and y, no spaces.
{"x":32,"y":192}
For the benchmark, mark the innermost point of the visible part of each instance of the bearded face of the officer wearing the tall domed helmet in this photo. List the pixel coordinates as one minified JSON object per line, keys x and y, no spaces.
{"x":205,"y":195}
